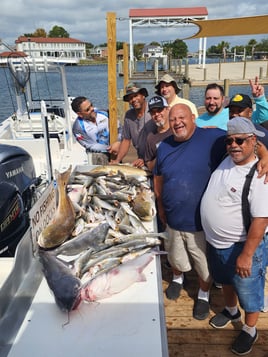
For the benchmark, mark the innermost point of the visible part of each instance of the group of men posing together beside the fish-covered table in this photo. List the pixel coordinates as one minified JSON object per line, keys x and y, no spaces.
{"x":199,"y":166}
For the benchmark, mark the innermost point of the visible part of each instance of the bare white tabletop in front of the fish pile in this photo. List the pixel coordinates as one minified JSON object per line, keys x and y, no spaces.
{"x":130,"y":323}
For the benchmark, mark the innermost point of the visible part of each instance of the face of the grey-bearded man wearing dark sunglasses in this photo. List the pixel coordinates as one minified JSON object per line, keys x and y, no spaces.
{"x":241,"y":151}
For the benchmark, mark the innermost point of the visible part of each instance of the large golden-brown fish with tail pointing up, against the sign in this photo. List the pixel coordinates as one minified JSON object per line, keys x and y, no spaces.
{"x":62,"y":225}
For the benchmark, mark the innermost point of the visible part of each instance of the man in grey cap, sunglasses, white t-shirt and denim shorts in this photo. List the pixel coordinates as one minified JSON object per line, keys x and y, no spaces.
{"x":234,"y":216}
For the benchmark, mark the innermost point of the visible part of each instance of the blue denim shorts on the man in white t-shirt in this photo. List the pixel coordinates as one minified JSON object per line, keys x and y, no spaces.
{"x":250,"y":290}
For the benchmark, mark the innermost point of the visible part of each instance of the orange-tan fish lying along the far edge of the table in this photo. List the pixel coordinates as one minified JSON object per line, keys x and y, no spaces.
{"x":127,"y":170}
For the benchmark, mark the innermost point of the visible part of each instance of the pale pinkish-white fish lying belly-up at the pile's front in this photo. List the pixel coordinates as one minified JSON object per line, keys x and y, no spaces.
{"x":116,"y":280}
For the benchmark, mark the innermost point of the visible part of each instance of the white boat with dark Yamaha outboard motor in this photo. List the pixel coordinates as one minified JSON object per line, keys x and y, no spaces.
{"x":34,"y":141}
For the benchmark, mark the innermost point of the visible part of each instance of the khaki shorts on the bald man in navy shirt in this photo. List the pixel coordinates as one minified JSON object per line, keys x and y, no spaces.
{"x":185,"y":248}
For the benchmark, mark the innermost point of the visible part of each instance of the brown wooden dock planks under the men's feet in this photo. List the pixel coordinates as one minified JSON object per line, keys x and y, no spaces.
{"x":188,"y":337}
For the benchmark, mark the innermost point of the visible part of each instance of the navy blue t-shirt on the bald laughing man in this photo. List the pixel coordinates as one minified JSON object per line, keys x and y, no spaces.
{"x":186,"y":168}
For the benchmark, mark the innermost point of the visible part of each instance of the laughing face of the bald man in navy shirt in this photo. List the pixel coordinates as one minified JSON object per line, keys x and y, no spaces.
{"x":182,"y":122}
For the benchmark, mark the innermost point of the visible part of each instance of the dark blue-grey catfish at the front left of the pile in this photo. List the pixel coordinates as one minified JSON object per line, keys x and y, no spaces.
{"x":65,"y":286}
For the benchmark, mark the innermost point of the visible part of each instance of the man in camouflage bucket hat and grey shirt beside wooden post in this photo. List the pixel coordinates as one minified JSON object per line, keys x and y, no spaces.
{"x":137,"y":124}
